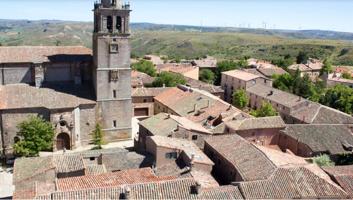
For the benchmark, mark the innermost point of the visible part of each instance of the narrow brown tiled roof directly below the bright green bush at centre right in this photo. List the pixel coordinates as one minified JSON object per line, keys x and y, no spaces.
{"x":256,"y":123}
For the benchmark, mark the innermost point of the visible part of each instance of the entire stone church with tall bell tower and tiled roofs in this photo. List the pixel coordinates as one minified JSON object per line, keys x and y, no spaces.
{"x":72,"y":87}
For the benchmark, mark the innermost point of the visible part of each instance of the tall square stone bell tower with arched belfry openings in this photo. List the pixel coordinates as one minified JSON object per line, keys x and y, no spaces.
{"x":112,"y":70}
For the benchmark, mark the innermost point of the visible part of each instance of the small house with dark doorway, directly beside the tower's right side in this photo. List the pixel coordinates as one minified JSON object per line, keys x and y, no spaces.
{"x":143,"y":100}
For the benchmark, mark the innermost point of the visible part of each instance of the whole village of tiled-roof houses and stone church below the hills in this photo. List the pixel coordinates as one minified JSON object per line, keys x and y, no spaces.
{"x":165,"y":128}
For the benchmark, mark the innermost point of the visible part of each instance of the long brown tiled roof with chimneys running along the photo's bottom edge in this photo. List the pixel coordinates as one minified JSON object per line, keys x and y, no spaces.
{"x":172,"y":189}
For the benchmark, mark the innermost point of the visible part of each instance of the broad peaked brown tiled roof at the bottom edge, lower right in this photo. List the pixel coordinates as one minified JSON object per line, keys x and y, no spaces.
{"x":292,"y":183}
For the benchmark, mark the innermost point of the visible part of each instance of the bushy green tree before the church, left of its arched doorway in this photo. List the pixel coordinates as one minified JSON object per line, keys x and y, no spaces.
{"x":36,"y":135}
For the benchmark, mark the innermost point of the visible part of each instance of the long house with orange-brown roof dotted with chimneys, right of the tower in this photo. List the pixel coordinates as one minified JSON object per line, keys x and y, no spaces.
{"x":197,"y":105}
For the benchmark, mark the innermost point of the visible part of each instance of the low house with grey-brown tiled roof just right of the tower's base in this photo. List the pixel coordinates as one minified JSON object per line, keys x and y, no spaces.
{"x":172,"y":126}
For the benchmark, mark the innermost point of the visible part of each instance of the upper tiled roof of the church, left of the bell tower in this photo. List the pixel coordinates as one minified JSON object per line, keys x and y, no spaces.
{"x":39,"y":54}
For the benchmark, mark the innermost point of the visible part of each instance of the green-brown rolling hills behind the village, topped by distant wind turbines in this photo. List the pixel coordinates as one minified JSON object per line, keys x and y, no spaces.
{"x":189,"y":41}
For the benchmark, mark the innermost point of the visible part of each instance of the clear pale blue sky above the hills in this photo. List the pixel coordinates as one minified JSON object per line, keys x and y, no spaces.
{"x":280,"y":14}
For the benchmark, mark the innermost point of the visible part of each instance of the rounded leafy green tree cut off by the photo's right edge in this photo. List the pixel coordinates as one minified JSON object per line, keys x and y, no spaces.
{"x":339,"y":97}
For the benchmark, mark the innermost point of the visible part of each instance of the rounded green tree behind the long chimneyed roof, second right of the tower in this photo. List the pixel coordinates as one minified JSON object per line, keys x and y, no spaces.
{"x":169,"y":79}
